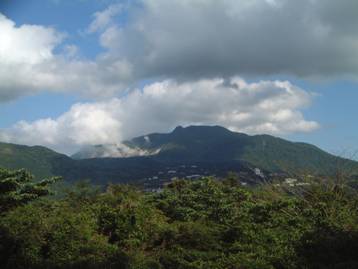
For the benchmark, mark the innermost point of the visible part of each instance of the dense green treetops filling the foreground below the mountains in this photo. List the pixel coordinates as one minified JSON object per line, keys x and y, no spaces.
{"x":206,"y":223}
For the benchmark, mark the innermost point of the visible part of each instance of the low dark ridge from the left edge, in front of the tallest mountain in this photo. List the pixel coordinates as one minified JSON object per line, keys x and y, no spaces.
{"x":144,"y":171}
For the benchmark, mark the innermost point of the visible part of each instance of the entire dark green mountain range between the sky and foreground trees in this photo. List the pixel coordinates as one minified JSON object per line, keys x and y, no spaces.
{"x":185,"y":152}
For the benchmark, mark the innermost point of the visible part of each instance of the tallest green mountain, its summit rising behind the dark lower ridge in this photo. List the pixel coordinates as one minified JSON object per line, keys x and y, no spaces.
{"x":217,"y":144}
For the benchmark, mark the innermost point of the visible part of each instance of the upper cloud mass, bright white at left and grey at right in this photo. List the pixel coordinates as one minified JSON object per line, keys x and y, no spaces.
{"x":184,"y":40}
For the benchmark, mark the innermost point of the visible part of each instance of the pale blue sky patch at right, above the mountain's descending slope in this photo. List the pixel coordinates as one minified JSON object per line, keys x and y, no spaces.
{"x":334,"y":108}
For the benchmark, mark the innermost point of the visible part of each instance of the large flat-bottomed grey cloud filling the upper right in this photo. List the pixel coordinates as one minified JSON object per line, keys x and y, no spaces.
{"x":195,"y":38}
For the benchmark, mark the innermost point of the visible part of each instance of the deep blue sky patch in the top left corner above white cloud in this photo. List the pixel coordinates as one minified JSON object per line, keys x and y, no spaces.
{"x":71,"y":17}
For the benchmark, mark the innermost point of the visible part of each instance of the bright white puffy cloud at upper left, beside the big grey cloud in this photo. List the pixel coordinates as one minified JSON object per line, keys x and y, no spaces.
{"x":29,"y":65}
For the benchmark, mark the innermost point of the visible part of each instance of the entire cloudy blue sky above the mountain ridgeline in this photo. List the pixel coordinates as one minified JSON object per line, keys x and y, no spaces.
{"x":83,"y":72}
